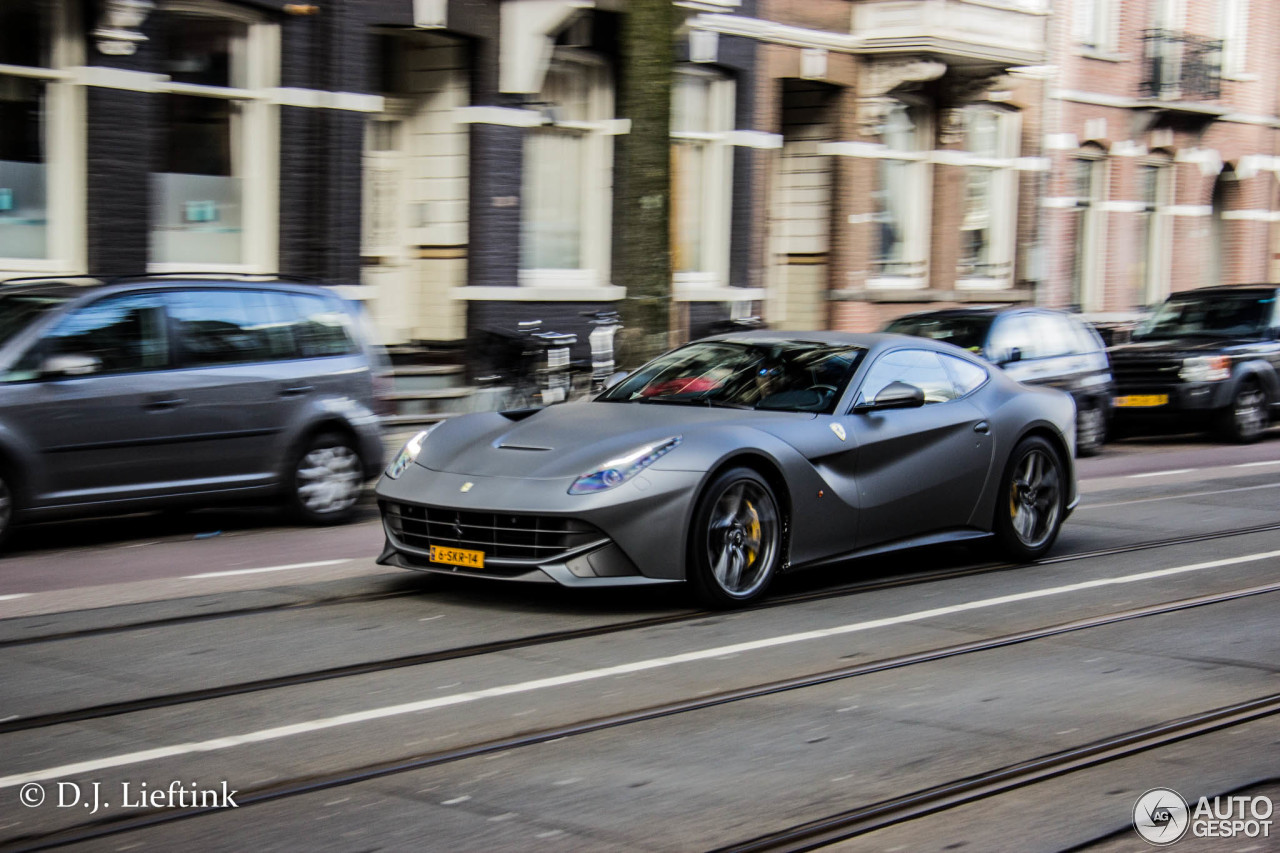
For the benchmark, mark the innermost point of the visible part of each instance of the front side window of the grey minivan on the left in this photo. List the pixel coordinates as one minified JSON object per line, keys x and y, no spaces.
{"x":124,"y":334}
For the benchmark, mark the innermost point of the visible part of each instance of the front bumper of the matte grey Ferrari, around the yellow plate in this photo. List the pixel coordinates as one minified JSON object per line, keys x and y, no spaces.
{"x":627,"y":536}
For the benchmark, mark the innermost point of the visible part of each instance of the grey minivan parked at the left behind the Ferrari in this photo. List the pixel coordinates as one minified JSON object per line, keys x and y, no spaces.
{"x":156,"y":393}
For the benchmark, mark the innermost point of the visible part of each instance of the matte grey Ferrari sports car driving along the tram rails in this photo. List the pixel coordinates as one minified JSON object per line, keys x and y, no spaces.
{"x":733,"y":459}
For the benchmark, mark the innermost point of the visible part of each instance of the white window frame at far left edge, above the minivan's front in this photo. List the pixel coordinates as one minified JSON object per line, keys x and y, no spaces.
{"x":66,"y":152}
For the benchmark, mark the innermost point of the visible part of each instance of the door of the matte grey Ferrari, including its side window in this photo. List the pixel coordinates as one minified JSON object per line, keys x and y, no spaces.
{"x":918,"y":471}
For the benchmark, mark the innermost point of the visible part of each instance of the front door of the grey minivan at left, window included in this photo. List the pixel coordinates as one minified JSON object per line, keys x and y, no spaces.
{"x":102,"y":428}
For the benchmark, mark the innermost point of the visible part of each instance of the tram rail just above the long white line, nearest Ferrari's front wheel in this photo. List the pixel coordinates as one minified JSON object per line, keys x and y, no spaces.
{"x":371,"y":668}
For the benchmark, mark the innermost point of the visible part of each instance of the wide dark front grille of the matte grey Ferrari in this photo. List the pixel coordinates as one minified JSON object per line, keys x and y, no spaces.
{"x":501,"y":536}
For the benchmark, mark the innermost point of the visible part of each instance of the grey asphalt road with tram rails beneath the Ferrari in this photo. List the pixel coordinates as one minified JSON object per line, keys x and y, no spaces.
{"x":931,"y":701}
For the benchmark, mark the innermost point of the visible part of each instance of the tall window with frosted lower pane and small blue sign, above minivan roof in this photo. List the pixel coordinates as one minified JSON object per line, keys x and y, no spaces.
{"x":213,"y":197}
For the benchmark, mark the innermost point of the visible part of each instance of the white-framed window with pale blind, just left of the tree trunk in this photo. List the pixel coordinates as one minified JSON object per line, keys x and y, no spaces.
{"x":565,"y":217}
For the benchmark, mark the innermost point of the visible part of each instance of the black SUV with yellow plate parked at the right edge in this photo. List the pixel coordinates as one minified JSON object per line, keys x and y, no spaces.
{"x":1209,"y":357}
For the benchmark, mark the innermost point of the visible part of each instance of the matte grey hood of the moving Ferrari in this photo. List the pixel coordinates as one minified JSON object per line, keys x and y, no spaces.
{"x":570,"y":440}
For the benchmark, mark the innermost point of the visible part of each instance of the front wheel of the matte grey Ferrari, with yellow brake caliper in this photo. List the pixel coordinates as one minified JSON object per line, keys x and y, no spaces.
{"x":735,"y":544}
